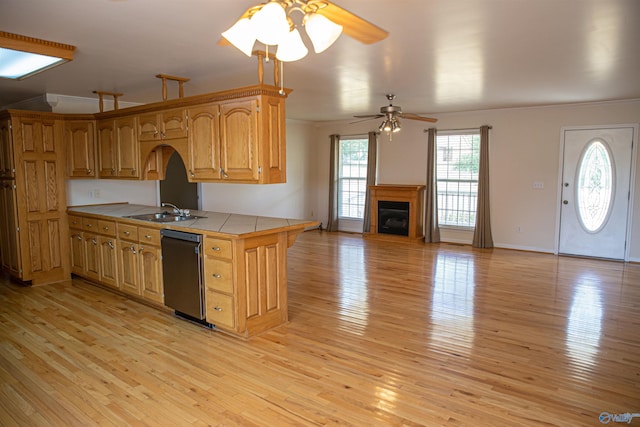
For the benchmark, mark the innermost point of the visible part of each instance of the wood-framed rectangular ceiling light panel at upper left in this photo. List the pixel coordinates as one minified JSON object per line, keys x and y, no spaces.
{"x":21,"y":56}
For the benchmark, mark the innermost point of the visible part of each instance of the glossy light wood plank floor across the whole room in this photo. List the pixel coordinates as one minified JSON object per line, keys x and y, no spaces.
{"x":380,"y":334}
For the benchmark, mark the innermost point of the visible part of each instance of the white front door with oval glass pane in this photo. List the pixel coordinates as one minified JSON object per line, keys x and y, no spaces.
{"x":595,"y":192}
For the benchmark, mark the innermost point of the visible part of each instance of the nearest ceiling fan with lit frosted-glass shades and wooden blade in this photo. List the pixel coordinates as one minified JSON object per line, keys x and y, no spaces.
{"x":323,"y":21}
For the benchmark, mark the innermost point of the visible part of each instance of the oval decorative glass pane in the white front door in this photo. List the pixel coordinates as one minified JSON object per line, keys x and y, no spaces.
{"x":595,"y":186}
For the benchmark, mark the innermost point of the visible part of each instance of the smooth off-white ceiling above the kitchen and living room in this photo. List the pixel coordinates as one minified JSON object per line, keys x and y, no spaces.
{"x":440,"y":56}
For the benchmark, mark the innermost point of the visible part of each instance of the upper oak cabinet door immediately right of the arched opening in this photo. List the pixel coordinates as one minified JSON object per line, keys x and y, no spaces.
{"x":204,"y":146}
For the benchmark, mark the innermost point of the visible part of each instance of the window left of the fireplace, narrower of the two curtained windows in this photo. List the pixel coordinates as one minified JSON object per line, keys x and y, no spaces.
{"x":352,"y":178}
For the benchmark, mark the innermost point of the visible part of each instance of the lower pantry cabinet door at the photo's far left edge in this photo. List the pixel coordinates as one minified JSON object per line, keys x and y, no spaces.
{"x":9,"y":249}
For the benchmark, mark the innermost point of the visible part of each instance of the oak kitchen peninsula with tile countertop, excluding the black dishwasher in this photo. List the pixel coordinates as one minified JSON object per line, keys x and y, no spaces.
{"x":245,"y":260}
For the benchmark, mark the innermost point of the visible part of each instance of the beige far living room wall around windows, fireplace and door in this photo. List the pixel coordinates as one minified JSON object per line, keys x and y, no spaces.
{"x":524,"y":147}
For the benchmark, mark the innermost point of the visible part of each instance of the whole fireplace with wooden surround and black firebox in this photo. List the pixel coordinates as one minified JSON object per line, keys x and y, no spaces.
{"x":397,"y":211}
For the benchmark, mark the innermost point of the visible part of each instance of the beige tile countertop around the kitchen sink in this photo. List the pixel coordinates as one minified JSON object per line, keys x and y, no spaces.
{"x":216,"y":222}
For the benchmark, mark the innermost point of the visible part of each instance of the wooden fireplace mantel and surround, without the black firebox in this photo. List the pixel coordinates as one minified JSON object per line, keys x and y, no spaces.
{"x":412,"y":194}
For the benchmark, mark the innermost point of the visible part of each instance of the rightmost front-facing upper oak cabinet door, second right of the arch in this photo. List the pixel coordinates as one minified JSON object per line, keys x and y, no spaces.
{"x":238,"y":141}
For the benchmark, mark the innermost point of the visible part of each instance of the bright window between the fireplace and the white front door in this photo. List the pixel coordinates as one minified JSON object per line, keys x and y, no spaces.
{"x":458,"y":161}
